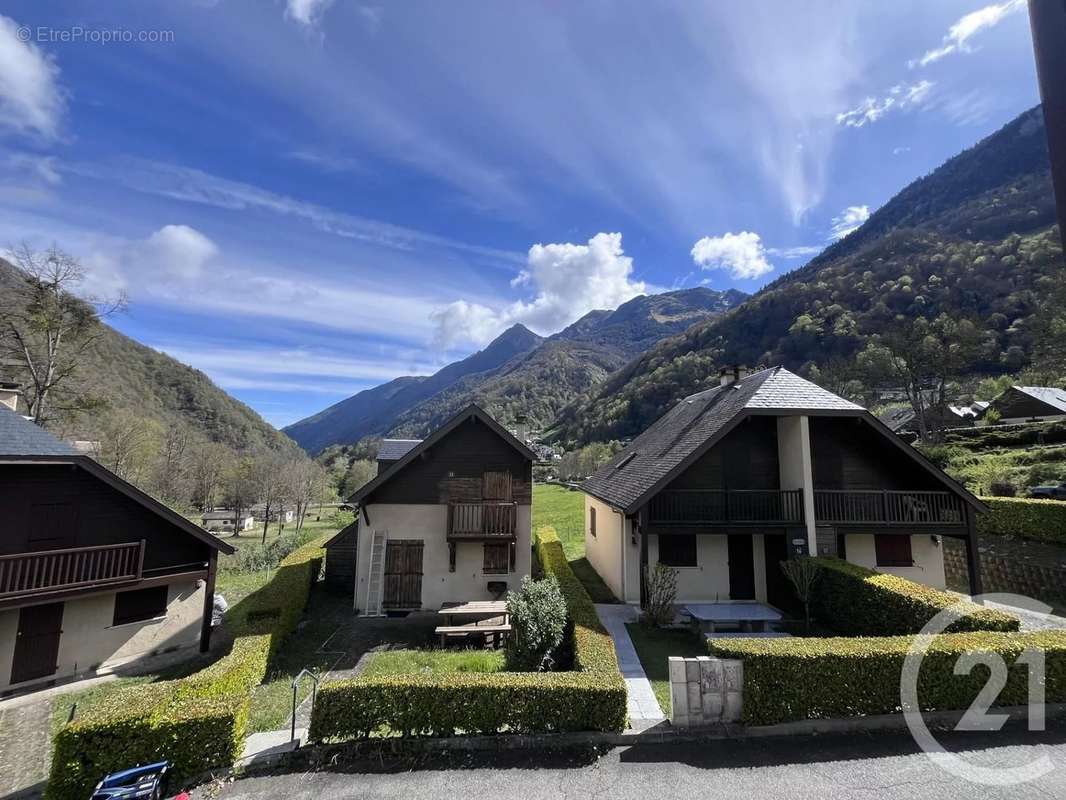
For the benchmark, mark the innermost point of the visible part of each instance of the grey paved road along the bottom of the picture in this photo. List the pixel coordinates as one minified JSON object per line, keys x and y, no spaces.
{"x":837,"y":767}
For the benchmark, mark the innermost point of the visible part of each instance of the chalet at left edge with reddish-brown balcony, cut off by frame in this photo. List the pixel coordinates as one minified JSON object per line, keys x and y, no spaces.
{"x":94,"y":573}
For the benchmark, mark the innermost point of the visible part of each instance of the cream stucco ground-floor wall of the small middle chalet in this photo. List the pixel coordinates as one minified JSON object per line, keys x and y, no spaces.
{"x":430,"y":525}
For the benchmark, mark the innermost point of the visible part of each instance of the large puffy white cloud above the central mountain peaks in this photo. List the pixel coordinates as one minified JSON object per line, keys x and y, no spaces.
{"x":569,"y":281}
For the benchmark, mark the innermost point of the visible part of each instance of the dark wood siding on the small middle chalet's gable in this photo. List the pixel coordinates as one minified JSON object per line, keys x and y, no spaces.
{"x":454,"y":471}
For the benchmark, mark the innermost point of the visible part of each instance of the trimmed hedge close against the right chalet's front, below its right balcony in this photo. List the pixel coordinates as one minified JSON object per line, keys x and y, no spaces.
{"x":860,"y":602}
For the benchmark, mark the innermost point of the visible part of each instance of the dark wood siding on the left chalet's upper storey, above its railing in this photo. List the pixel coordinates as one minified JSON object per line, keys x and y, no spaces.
{"x":55,"y":506}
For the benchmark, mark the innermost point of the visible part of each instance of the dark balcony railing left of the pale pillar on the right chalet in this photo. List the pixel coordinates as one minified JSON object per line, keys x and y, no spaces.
{"x":728,"y":507}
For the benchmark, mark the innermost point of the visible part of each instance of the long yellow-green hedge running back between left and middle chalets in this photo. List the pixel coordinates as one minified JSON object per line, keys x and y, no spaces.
{"x":198,"y":723}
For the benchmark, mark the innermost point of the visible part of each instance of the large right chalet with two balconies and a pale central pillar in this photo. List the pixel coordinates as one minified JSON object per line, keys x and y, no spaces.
{"x":734,"y":481}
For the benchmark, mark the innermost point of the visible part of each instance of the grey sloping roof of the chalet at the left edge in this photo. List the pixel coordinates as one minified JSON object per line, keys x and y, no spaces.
{"x":24,"y":443}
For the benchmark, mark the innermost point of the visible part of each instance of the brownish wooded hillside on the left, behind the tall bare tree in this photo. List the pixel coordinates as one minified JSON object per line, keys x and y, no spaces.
{"x":136,"y":382}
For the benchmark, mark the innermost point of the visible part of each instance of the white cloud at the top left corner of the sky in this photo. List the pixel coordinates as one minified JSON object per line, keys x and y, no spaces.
{"x":31,"y":101}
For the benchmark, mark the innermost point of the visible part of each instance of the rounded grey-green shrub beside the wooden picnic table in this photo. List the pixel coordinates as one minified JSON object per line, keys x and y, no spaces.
{"x":538,"y":622}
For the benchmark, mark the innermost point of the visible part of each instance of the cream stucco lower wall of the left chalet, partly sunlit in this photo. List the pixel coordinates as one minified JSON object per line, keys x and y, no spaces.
{"x":90,"y":644}
